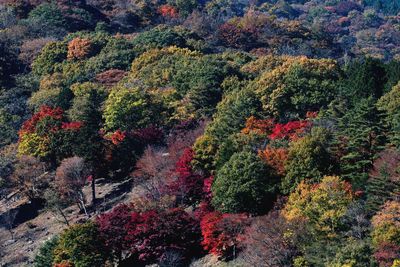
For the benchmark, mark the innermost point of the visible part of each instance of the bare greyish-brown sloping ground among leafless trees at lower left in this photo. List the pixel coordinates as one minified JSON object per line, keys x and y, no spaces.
{"x":30,"y":235}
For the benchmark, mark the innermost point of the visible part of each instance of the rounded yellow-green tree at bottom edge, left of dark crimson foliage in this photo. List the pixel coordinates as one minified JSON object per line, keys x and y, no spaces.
{"x":82,"y":246}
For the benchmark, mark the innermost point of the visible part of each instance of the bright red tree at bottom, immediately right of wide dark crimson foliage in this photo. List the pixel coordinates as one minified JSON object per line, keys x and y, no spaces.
{"x":221,"y":233}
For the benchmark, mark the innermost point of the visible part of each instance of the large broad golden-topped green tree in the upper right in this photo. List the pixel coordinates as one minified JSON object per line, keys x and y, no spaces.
{"x":297,"y":86}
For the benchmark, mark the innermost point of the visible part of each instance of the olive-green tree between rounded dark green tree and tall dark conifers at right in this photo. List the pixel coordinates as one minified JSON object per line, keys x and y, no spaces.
{"x":308,"y":159}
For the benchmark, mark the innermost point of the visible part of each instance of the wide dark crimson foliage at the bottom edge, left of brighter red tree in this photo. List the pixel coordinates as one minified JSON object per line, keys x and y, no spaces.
{"x":149,"y":235}
